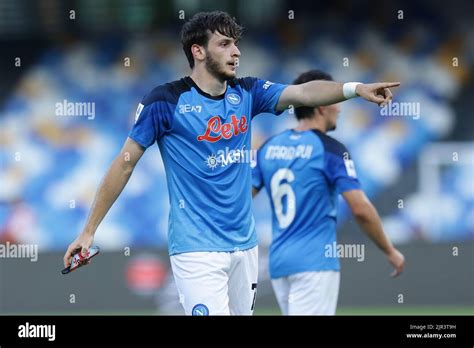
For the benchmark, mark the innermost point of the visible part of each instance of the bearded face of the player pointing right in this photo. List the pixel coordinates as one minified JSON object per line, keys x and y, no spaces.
{"x":222,"y":56}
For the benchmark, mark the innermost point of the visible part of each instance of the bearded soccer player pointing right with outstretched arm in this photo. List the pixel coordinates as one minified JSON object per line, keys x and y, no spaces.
{"x":211,"y":230}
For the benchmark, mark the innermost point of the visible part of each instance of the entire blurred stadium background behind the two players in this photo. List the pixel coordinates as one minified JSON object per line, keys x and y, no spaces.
{"x":418,"y":171}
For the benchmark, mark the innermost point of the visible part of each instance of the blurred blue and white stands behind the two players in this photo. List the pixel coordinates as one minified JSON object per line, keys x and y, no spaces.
{"x":51,"y":163}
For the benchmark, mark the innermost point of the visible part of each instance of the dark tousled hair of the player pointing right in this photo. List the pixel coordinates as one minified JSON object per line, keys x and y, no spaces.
{"x":198,"y":28}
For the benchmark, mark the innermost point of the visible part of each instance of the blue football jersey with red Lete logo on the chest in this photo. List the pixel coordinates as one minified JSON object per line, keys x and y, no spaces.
{"x":203,"y":141}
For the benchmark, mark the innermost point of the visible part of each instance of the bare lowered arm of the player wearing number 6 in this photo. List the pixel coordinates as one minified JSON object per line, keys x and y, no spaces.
{"x":369,"y":220}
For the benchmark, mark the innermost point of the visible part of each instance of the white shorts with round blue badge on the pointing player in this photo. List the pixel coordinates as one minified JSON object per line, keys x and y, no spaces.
{"x":217,"y":283}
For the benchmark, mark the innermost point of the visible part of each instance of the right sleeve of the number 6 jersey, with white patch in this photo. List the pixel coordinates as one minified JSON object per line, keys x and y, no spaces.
{"x":340,"y":170}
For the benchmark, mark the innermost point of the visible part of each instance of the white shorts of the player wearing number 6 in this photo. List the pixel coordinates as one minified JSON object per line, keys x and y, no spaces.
{"x":308,"y":293}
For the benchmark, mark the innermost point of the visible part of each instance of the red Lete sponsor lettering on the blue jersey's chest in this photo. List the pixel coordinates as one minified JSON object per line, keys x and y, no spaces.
{"x":216,"y":130}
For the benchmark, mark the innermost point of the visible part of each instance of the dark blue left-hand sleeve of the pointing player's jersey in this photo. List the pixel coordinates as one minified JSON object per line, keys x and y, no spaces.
{"x":152,"y":119}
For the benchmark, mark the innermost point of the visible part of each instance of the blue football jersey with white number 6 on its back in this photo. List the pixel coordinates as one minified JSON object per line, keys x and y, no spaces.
{"x":303,"y":173}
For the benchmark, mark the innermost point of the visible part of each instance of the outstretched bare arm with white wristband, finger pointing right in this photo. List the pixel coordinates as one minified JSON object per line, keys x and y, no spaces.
{"x":320,"y":93}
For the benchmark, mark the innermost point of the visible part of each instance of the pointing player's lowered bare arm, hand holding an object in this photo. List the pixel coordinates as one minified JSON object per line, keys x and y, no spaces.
{"x":110,"y":188}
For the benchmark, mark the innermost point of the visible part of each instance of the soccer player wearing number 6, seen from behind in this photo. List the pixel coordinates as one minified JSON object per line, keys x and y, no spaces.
{"x":304,"y":170}
